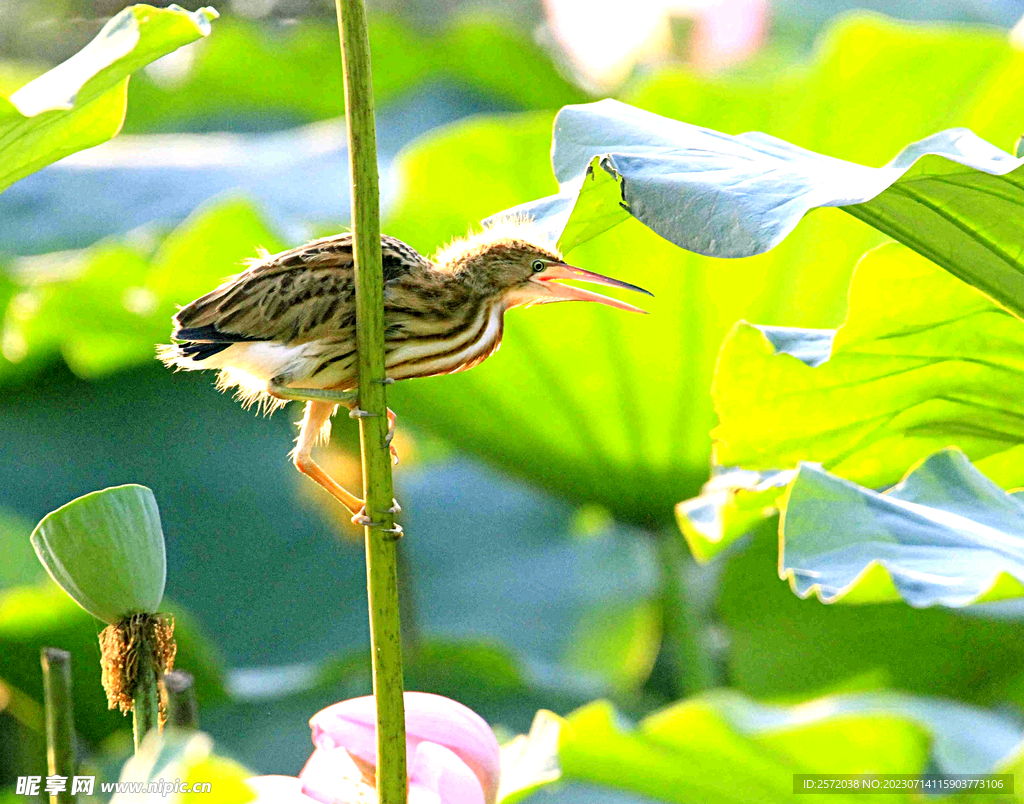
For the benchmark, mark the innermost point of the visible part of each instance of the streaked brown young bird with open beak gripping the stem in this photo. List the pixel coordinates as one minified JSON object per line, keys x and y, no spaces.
{"x":284,"y":329}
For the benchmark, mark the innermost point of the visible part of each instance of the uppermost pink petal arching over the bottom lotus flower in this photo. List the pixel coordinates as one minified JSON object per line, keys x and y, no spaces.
{"x":432,"y":718}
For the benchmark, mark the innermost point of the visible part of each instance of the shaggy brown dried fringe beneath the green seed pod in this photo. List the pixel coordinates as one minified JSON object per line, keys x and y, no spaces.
{"x":121,"y":647}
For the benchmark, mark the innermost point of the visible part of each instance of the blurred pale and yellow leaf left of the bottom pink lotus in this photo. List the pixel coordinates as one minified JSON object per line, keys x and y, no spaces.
{"x":186,"y":757}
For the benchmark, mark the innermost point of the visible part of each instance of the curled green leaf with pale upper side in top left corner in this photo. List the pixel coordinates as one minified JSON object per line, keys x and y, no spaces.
{"x":81,"y":103}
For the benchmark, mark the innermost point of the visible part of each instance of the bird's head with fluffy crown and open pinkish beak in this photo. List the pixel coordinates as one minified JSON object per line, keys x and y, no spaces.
{"x":514,"y":263}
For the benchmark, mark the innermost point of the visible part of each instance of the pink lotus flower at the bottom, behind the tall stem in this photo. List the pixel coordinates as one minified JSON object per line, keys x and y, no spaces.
{"x":452,"y":755}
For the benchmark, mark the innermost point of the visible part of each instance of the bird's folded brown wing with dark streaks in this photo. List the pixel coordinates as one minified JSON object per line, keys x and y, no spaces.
{"x":295,"y":297}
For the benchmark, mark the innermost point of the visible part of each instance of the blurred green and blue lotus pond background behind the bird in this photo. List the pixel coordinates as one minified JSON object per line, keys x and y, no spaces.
{"x":542,"y":567}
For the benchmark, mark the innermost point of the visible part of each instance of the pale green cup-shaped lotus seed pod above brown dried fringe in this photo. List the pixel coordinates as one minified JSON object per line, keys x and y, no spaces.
{"x":106,"y":551}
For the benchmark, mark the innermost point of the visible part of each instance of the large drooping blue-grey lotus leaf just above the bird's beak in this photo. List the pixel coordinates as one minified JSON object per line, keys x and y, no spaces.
{"x":951,"y":197}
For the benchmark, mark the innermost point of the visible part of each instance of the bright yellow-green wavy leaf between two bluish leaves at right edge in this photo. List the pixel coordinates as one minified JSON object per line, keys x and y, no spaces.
{"x":922,"y":362}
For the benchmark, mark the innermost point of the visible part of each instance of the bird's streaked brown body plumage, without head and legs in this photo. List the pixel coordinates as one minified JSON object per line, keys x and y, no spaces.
{"x":292,"y":316}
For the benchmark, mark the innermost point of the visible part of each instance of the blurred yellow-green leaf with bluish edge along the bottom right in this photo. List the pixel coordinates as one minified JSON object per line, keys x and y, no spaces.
{"x":723,"y":747}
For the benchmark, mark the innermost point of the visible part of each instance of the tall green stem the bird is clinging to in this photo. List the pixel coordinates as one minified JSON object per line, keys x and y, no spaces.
{"x":382,"y":575}
